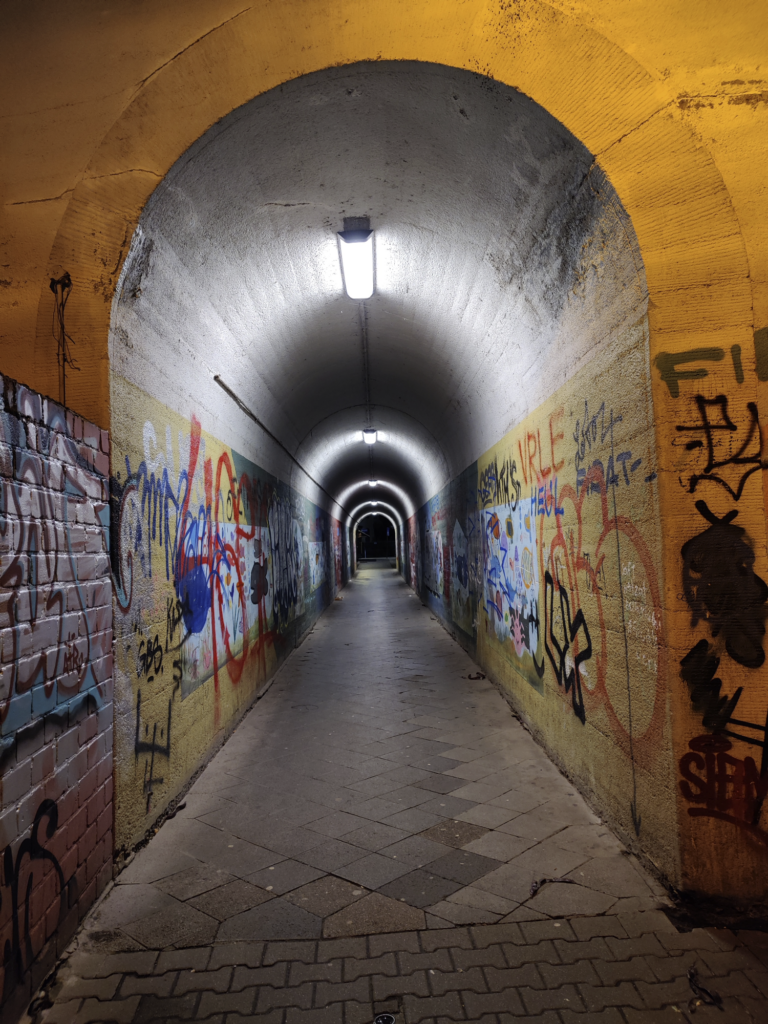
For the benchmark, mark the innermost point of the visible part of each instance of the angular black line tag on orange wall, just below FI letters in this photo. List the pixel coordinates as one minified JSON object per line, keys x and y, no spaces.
{"x":727,"y":446}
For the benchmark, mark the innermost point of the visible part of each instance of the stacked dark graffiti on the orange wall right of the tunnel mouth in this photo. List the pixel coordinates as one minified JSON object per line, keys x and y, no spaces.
{"x":718,"y":446}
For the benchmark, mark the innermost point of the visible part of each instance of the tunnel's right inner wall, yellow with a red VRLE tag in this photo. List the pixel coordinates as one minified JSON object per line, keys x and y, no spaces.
{"x":544,"y":559}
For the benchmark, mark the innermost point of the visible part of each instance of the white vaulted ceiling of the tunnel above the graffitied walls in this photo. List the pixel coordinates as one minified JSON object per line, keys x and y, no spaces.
{"x":503,"y":261}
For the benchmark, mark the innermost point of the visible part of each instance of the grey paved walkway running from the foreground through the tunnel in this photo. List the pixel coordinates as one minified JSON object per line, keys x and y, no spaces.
{"x":368,"y":841}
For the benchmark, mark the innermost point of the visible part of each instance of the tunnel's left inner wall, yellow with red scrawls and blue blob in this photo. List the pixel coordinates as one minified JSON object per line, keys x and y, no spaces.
{"x":220,"y":570}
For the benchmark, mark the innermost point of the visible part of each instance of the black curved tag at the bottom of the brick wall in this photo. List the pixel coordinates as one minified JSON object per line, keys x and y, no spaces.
{"x":19,"y":954}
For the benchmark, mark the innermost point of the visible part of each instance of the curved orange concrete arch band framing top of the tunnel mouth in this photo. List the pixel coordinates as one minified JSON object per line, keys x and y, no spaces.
{"x":679,"y":204}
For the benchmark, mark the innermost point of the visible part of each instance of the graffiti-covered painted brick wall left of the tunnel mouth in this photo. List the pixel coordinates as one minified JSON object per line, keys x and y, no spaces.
{"x":56,"y":682}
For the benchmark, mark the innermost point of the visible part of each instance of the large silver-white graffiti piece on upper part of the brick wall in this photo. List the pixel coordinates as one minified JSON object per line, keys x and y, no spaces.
{"x":52,"y":562}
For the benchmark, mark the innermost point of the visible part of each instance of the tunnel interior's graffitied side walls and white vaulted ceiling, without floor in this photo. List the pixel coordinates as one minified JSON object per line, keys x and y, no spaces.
{"x":500,"y":367}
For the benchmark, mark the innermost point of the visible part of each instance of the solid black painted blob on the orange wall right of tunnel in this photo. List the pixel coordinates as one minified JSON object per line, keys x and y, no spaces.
{"x":722,"y":588}
